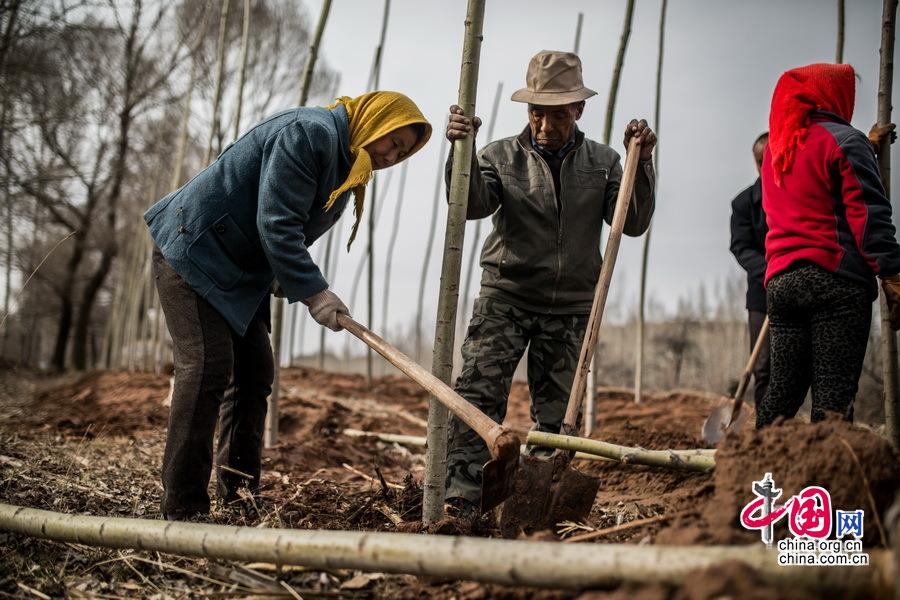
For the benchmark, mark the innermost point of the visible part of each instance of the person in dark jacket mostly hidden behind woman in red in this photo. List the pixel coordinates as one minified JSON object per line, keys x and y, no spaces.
{"x":748,"y":244}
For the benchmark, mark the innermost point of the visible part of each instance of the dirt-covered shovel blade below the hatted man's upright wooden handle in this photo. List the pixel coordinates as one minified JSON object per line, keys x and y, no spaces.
{"x":546,"y":492}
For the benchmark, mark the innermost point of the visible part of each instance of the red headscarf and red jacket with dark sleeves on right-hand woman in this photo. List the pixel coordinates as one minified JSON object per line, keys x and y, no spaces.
{"x":822,"y":192}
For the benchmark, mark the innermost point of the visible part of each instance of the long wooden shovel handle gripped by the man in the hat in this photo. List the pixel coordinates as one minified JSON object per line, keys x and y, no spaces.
{"x":601,"y":292}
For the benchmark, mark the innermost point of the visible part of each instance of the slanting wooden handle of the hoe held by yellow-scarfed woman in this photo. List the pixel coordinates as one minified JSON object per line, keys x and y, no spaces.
{"x":483,"y":425}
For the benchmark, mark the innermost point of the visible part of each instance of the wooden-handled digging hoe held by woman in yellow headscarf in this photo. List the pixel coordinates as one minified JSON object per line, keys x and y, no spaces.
{"x":499,"y":472}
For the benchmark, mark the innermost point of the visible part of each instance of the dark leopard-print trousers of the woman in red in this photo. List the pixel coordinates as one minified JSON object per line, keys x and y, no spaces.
{"x":819,"y":328}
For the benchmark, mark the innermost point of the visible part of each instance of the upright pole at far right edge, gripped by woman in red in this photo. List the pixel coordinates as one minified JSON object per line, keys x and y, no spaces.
{"x":888,"y":337}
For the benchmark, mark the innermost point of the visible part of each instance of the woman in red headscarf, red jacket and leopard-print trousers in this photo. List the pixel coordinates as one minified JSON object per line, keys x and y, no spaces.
{"x":830,"y":236}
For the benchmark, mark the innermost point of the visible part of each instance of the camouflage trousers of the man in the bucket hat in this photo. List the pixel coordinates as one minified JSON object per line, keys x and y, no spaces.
{"x":498,"y":336}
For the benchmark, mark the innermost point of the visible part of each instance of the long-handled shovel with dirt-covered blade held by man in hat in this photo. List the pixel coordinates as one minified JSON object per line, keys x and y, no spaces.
{"x":549,"y":491}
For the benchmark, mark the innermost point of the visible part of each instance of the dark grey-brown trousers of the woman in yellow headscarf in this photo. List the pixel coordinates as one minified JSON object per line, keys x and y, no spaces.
{"x":219,"y":376}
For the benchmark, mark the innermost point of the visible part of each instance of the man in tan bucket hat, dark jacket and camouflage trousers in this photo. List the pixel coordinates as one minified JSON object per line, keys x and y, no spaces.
{"x":549,"y":190}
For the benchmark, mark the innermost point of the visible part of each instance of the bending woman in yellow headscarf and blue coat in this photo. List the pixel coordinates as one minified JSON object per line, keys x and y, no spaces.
{"x":223,"y":240}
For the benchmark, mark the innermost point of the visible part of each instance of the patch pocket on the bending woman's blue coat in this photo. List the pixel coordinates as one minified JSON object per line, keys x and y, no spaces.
{"x":218,"y":252}
